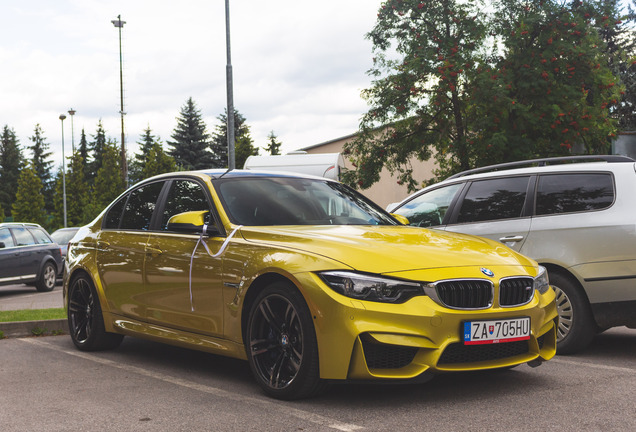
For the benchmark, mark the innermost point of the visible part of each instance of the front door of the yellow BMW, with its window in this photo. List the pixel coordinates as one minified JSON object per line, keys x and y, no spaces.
{"x":183,"y":282}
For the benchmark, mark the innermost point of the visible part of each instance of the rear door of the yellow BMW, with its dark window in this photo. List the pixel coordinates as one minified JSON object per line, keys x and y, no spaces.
{"x":121,"y":250}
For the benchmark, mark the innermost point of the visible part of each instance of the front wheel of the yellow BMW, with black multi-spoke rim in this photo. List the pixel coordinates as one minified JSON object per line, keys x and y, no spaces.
{"x":281,"y":344}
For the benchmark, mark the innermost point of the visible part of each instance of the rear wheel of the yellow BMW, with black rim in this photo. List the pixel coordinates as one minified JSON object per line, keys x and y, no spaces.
{"x":85,"y":319}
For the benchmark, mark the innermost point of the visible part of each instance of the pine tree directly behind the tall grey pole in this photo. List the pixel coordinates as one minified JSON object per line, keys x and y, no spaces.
{"x":243,"y":147}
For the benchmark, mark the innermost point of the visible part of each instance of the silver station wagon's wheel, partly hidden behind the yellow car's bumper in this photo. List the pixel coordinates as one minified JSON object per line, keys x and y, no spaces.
{"x":576,"y":323}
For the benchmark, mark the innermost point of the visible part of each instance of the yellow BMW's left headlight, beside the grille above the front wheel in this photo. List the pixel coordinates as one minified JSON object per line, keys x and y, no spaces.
{"x":373,"y":288}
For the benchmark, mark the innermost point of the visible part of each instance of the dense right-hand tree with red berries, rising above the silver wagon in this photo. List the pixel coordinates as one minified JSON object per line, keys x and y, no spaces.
{"x":551,"y":91}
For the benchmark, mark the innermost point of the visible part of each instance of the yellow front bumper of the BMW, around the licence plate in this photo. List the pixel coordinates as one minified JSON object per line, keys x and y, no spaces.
{"x":369,"y":340}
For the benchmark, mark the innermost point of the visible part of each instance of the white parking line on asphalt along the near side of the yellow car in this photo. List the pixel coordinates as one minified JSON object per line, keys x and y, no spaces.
{"x":265,"y":403}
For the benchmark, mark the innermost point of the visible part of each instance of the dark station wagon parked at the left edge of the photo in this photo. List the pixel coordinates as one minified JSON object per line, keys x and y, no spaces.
{"x":28,"y":255}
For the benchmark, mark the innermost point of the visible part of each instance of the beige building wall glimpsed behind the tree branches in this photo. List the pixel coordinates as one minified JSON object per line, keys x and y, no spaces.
{"x":387,"y":190}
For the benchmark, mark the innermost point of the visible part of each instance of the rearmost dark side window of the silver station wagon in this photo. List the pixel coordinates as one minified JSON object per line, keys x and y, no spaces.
{"x":564,"y":193}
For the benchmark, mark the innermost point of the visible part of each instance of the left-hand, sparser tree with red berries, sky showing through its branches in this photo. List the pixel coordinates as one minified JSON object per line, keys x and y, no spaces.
{"x":426,"y":55}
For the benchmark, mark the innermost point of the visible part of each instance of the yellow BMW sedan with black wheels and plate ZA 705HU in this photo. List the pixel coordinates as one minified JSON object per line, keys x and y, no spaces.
{"x":305,"y":279}
